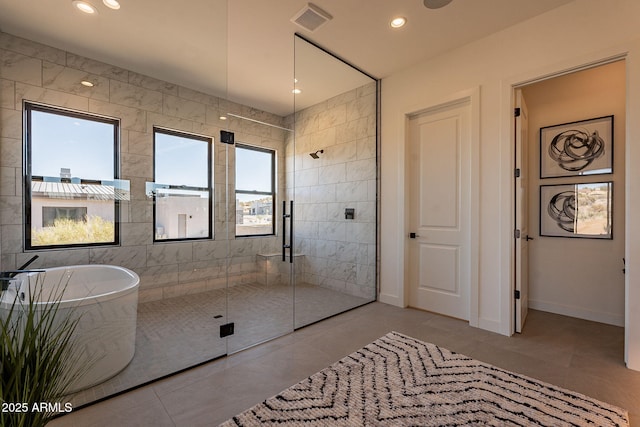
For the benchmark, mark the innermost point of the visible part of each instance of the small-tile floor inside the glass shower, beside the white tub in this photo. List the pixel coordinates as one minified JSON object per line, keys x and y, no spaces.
{"x":177,"y":333}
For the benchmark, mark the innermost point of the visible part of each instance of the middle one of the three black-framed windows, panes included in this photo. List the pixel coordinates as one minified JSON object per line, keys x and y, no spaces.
{"x":183,"y":187}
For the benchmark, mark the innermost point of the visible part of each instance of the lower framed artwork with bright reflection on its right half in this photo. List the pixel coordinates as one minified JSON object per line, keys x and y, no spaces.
{"x":577,"y":210}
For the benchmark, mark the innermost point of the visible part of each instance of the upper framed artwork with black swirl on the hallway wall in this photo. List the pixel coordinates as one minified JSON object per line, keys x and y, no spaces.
{"x":577,"y":148}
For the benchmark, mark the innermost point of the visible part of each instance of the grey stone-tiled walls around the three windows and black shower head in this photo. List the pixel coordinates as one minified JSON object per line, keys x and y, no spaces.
{"x":339,"y":254}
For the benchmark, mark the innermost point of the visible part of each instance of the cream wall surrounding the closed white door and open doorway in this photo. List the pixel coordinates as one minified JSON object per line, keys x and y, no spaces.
{"x":582,"y":32}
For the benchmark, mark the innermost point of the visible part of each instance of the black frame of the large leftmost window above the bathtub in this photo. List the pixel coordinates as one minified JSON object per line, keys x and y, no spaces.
{"x":28,"y":108}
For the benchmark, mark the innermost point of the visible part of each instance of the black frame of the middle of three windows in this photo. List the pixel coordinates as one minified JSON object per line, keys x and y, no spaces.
{"x":182,"y":134}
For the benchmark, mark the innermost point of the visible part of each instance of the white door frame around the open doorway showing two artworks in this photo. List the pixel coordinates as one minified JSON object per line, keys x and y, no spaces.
{"x":509,"y":89}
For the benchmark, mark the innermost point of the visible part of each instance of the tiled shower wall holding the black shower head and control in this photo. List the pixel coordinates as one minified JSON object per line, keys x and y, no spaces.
{"x":339,"y":253}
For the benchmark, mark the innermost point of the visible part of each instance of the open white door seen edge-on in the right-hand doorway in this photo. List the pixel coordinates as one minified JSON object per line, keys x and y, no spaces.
{"x":521,"y":234}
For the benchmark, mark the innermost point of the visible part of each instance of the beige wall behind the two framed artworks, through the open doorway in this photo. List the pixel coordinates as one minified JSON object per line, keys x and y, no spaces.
{"x":578,"y":277}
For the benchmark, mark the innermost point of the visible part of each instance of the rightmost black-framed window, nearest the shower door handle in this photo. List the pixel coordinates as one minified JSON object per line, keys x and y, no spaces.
{"x":255,"y":191}
